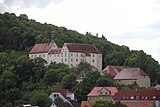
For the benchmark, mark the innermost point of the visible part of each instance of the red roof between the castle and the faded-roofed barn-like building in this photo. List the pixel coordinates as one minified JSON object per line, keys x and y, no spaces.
{"x":112,"y":71}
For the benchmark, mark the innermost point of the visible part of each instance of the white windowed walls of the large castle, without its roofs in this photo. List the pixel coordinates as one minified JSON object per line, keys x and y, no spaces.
{"x":72,"y":59}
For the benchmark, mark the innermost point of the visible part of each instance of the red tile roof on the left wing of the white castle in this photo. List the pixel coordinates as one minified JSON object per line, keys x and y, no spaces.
{"x":40,"y":48}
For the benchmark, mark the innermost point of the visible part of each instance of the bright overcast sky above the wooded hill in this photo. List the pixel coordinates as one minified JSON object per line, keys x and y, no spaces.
{"x":134,"y":23}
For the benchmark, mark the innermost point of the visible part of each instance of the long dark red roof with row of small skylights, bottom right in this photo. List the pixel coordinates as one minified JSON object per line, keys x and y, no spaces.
{"x":137,"y":95}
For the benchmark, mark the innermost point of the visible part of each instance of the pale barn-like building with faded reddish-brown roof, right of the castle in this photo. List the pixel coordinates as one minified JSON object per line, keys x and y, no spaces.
{"x":133,"y":76}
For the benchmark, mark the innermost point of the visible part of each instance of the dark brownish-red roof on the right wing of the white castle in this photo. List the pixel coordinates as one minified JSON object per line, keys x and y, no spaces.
{"x":84,"y":48}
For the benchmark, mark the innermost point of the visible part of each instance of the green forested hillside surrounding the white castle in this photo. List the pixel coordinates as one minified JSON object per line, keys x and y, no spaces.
{"x":19,"y":74}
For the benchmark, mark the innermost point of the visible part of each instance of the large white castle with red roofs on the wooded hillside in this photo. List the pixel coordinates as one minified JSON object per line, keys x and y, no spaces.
{"x":71,"y":54}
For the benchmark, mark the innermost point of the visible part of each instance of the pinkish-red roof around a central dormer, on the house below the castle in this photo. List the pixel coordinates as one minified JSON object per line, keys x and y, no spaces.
{"x":95,"y":91}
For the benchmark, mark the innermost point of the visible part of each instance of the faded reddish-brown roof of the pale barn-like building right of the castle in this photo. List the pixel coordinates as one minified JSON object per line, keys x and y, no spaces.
{"x":130,"y":73}
